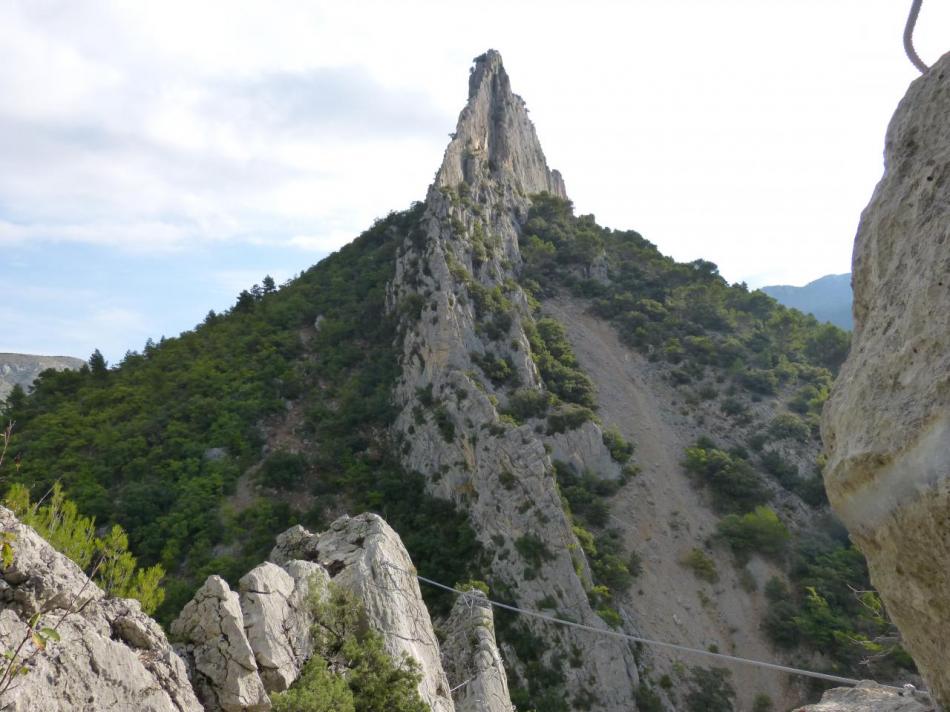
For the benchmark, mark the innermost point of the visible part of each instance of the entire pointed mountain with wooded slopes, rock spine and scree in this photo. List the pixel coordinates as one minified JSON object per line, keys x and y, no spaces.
{"x":424,"y":372}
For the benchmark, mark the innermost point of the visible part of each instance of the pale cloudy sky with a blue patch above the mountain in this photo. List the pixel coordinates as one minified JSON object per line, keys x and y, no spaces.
{"x":157,"y":158}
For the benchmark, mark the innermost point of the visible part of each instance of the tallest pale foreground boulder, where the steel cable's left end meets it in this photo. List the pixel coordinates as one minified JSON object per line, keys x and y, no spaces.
{"x":364,"y":554}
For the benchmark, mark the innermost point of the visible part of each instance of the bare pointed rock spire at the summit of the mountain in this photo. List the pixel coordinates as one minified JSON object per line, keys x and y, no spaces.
{"x":495,"y":137}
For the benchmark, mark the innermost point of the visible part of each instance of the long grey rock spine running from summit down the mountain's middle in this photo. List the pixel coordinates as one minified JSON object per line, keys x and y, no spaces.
{"x":460,"y":357}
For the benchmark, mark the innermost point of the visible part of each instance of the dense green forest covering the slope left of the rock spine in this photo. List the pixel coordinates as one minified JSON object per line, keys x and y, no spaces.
{"x":158,"y":443}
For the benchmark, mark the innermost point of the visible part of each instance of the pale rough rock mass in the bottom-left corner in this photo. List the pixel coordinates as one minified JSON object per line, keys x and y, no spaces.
{"x":110,"y":655}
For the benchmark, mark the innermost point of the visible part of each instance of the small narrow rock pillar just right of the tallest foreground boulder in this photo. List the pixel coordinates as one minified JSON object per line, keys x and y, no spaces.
{"x":471,"y":657}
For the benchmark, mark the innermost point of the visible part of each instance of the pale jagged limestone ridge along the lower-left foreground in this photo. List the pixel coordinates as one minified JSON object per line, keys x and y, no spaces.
{"x":235,"y":647}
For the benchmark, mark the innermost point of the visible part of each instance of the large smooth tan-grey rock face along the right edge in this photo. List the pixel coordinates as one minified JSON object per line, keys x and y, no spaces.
{"x":887,"y":424}
